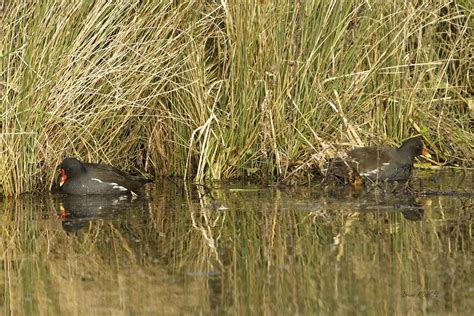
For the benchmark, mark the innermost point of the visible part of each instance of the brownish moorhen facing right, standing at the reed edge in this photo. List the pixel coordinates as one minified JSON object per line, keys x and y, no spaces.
{"x":379,"y":163}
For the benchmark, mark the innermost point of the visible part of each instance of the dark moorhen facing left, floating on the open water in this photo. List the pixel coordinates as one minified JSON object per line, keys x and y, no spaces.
{"x":89,"y":178}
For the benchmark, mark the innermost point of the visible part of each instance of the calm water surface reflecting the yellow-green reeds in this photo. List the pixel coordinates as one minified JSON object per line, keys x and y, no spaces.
{"x":243,"y":249}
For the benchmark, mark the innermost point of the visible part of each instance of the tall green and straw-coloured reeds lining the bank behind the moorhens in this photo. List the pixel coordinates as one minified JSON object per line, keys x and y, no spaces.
{"x":215,"y":90}
